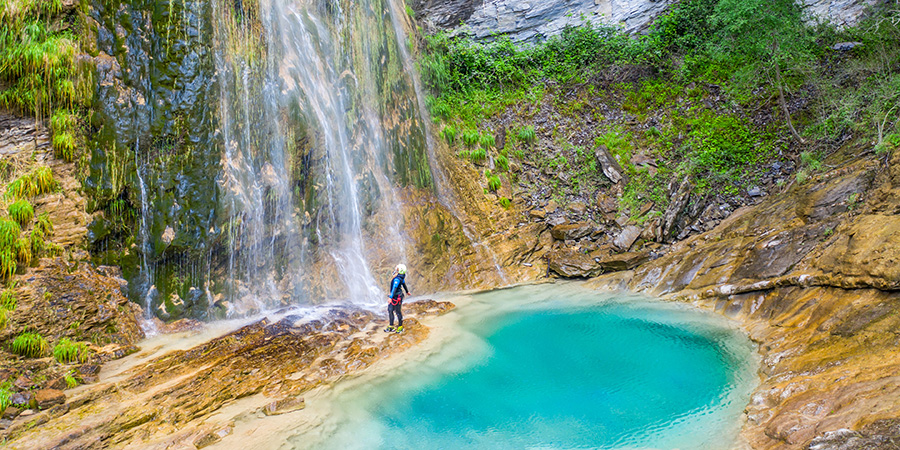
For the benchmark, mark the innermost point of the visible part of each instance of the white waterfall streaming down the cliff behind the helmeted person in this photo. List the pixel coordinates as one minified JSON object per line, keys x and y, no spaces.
{"x":303,"y":217}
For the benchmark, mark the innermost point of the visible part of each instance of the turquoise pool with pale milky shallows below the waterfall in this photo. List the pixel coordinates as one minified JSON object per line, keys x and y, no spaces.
{"x":557,"y":367}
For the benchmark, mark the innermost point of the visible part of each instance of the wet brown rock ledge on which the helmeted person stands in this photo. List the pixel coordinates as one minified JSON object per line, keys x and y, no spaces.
{"x":169,"y":401}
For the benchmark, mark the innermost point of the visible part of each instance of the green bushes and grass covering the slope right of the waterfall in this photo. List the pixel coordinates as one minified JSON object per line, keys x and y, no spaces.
{"x":716,"y":99}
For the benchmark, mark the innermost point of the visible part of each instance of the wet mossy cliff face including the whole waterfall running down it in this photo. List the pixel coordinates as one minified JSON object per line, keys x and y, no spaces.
{"x":260,"y":149}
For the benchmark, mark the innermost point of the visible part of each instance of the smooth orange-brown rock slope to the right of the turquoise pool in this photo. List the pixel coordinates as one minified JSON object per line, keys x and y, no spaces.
{"x":812,"y":274}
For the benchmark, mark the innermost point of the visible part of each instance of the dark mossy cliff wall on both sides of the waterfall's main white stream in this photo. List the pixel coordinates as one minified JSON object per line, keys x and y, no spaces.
{"x":175,"y":81}
